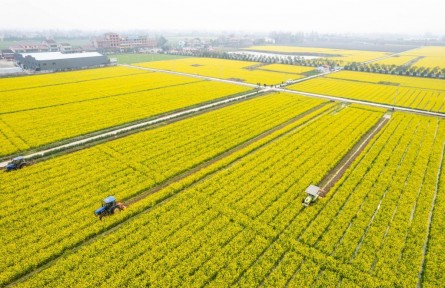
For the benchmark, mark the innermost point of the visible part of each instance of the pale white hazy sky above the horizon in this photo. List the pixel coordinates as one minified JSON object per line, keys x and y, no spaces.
{"x":342,"y":16}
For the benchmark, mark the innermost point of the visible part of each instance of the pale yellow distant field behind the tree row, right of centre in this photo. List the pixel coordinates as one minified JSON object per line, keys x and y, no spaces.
{"x":346,"y":56}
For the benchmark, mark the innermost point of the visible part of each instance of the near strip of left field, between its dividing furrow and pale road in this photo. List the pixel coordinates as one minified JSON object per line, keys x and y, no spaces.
{"x":34,"y":128}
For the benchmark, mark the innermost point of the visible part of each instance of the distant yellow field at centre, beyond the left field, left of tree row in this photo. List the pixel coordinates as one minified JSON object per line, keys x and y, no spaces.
{"x":243,"y":71}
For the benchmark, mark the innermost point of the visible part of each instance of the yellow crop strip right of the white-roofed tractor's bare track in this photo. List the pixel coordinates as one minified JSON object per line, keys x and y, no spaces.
{"x":376,"y":216}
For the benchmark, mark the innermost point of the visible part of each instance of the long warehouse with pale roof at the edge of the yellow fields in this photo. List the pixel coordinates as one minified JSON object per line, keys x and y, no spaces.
{"x":57,"y":61}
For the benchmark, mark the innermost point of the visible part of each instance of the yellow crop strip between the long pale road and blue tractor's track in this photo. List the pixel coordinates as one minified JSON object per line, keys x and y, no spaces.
{"x":48,"y":206}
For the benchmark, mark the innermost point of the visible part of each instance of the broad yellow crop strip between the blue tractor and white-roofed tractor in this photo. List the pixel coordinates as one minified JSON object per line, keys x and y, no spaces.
{"x":217,"y":231}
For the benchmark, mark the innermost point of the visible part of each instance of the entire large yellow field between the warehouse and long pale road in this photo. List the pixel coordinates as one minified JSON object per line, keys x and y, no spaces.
{"x":74,"y":109}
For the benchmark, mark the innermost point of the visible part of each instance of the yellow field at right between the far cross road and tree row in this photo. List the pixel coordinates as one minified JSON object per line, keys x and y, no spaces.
{"x":363,"y":86}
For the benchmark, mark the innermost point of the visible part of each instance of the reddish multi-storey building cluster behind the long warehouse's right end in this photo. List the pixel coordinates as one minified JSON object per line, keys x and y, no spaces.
{"x":113,"y":42}
